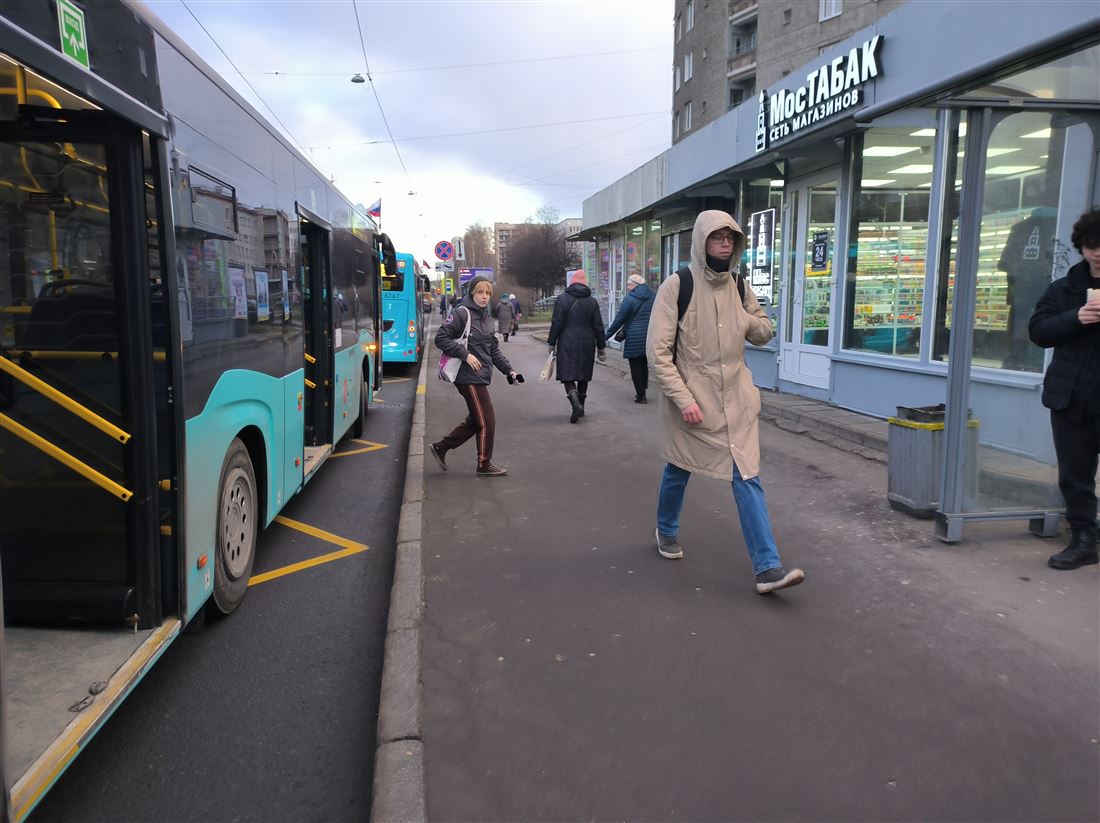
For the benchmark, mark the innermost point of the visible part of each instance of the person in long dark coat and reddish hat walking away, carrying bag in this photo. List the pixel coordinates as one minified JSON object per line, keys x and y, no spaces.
{"x":577,"y":332}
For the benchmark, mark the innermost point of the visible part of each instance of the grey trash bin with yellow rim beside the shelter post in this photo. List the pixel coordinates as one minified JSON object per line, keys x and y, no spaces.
{"x":916,"y":458}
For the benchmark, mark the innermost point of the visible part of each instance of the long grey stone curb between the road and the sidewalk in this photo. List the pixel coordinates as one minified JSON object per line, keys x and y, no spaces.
{"x":400,"y":792}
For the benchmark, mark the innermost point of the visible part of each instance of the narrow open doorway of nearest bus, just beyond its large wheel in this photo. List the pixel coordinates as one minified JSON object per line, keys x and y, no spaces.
{"x":317,"y":314}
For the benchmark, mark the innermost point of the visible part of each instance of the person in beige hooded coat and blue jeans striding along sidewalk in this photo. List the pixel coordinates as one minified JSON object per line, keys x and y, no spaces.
{"x":709,"y":405}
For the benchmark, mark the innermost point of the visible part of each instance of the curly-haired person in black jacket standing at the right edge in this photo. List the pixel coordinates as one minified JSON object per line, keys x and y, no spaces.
{"x":1068,"y":320}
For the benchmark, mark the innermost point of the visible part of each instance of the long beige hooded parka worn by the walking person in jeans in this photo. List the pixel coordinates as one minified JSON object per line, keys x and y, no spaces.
{"x":710,"y":368}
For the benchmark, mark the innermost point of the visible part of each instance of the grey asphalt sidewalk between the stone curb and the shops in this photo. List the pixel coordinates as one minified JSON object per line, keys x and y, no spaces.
{"x":570,"y":673}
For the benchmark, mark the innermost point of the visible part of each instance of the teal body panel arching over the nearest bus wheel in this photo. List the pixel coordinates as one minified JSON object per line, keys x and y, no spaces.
{"x":240,"y":400}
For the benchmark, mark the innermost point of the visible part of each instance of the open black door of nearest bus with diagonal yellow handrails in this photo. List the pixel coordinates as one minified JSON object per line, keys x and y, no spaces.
{"x":80,"y":498}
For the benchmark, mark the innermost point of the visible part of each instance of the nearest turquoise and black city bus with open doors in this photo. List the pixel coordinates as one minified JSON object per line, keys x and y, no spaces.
{"x":190,"y":322}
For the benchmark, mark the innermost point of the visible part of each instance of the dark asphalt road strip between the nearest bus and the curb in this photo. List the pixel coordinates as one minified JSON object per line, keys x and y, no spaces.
{"x":270,"y":715}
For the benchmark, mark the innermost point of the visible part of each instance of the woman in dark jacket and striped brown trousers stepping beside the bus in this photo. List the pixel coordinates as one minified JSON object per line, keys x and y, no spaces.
{"x":479,"y":356}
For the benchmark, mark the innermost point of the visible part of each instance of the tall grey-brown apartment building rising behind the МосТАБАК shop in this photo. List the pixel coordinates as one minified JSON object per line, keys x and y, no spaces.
{"x":727,"y":50}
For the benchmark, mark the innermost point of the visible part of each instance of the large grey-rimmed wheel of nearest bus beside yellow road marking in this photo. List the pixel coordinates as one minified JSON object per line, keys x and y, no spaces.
{"x":238,"y":528}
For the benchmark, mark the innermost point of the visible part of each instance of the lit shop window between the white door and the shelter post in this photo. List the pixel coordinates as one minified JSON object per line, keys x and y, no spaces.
{"x":886,"y":275}
